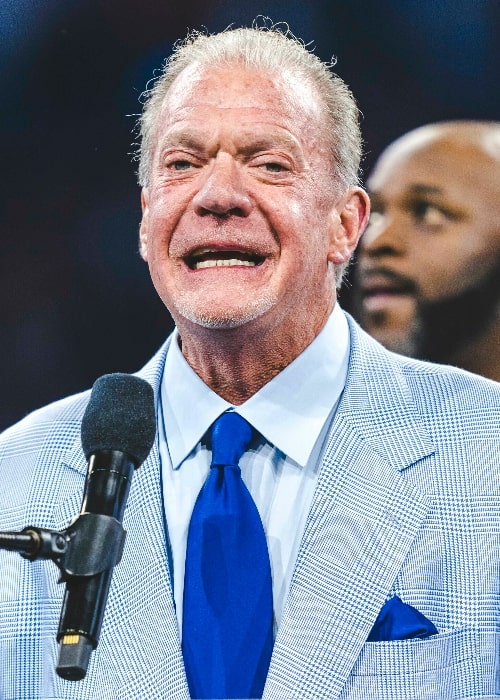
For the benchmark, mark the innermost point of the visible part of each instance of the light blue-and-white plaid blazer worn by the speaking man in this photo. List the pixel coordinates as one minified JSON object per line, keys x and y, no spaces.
{"x":407,"y":503}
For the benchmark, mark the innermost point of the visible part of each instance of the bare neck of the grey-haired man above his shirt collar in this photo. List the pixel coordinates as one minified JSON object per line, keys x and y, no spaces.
{"x":235,"y":363}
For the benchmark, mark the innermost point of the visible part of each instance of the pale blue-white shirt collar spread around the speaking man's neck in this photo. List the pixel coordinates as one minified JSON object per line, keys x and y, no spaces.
{"x":289,"y":411}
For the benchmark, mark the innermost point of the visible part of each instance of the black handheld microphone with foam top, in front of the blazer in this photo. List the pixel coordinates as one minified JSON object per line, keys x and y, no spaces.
{"x":118,"y":431}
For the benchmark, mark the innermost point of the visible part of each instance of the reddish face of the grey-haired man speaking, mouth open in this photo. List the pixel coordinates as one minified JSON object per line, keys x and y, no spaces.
{"x":241,"y":222}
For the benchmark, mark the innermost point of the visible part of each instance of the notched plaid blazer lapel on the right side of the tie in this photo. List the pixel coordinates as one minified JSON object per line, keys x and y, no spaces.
{"x":363,"y":521}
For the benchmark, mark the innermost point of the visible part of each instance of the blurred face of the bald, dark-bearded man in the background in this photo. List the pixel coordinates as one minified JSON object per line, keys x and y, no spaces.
{"x":430,"y":255}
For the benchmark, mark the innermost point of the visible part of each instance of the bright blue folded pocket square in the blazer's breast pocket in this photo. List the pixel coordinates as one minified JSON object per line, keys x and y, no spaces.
{"x":398,"y":620}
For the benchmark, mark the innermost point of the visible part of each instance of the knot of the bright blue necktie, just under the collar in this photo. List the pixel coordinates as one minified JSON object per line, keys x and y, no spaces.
{"x":231,"y":435}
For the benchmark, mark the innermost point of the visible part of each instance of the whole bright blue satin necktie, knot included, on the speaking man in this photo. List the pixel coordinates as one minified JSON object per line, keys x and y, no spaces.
{"x":227,"y":633}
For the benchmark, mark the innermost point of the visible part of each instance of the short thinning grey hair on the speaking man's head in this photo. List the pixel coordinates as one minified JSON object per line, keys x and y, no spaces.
{"x":272,"y":48}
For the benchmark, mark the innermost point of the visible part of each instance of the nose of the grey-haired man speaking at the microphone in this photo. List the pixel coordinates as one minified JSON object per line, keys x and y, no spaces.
{"x":222,"y":193}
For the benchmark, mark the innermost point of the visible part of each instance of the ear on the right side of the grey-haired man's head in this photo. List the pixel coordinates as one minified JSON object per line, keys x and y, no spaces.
{"x":349,"y":221}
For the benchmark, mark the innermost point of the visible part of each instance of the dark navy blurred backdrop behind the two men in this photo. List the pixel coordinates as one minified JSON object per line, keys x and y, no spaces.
{"x":77,"y":301}
